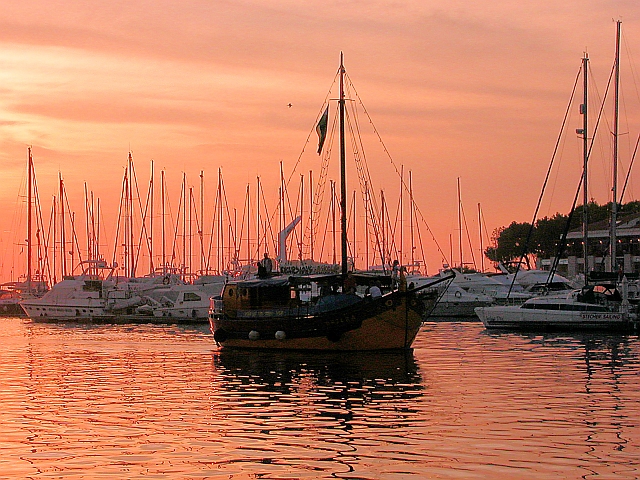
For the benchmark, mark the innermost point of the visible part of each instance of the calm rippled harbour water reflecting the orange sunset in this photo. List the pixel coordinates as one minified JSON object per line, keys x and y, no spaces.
{"x":163,"y":402}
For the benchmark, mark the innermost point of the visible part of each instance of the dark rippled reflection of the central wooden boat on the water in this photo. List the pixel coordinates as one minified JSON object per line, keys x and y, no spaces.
{"x":322,"y":408}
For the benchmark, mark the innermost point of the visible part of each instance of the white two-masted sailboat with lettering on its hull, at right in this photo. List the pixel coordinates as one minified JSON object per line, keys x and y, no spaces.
{"x":599,"y":307}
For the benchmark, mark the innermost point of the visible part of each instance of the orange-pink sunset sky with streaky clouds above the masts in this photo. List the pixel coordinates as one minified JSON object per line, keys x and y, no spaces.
{"x":469,"y":90}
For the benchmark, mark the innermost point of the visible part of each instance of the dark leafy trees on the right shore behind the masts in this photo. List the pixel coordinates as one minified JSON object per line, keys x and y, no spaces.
{"x":510,"y":243}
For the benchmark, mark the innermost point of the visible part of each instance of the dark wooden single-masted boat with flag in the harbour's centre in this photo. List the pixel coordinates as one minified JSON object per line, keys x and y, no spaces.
{"x":322,"y":311}
